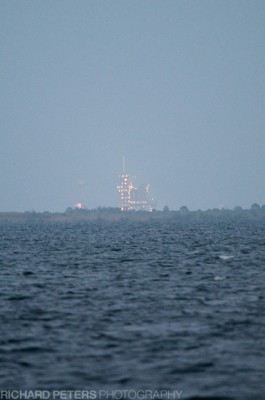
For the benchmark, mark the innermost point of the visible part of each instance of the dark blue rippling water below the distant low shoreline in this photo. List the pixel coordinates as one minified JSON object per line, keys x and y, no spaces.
{"x":134,"y":306}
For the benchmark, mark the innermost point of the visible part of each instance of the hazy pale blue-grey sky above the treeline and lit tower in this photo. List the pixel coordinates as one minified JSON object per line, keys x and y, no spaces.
{"x":177,"y":87}
